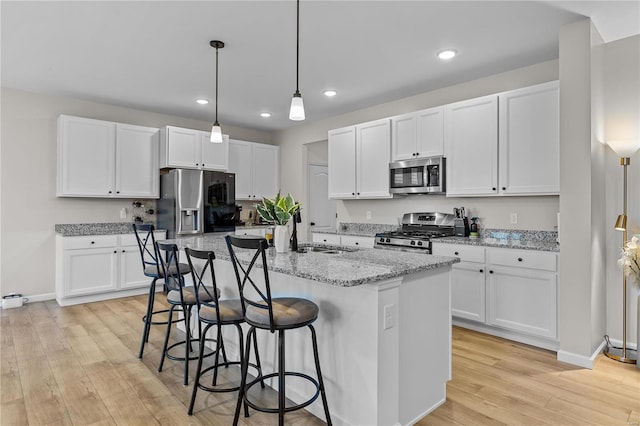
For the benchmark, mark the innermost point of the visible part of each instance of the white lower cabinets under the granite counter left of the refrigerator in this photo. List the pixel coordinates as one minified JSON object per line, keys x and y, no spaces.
{"x":99,"y":267}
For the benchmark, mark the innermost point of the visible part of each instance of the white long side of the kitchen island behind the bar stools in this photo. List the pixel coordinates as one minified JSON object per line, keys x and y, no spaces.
{"x":349,"y":341}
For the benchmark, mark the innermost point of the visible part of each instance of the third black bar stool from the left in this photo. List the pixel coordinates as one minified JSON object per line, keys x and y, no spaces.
{"x":216,"y":313}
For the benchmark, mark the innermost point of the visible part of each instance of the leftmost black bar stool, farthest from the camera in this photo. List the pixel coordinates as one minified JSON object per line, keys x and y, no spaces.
{"x":151,"y":268}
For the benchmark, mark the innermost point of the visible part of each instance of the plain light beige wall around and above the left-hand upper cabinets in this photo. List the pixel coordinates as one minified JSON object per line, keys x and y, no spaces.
{"x":29,"y":207}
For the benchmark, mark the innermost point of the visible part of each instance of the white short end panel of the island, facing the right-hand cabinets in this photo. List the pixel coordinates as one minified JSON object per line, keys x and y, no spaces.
{"x":425,"y":343}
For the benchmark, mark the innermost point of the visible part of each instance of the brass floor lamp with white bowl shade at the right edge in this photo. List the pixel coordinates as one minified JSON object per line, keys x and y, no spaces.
{"x":625,"y":149}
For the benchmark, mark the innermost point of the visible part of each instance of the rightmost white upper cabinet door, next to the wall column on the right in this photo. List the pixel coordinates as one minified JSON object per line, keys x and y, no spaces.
{"x":529,"y":140}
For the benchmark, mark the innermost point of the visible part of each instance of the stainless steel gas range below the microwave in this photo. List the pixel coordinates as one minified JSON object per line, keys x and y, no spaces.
{"x":417,"y":231}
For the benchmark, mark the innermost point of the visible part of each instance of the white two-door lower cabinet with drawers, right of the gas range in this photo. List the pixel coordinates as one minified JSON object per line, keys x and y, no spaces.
{"x":504,"y":290}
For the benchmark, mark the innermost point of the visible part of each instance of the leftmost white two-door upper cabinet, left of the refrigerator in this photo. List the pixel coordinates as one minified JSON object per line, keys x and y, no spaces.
{"x":103,"y":159}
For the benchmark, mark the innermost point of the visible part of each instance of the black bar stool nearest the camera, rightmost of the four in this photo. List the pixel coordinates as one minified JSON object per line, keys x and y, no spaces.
{"x":274,"y":314}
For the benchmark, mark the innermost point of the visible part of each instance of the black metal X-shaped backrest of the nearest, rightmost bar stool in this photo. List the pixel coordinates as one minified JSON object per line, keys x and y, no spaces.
{"x":253,"y":250}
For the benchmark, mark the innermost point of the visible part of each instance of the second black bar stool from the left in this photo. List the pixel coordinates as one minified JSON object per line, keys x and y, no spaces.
{"x":185,"y":298}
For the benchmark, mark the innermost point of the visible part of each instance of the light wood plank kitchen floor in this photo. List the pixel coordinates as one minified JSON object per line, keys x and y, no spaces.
{"x":78,"y":366}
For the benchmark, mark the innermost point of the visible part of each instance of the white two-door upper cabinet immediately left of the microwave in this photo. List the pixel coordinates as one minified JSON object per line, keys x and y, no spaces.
{"x":359,"y":160}
